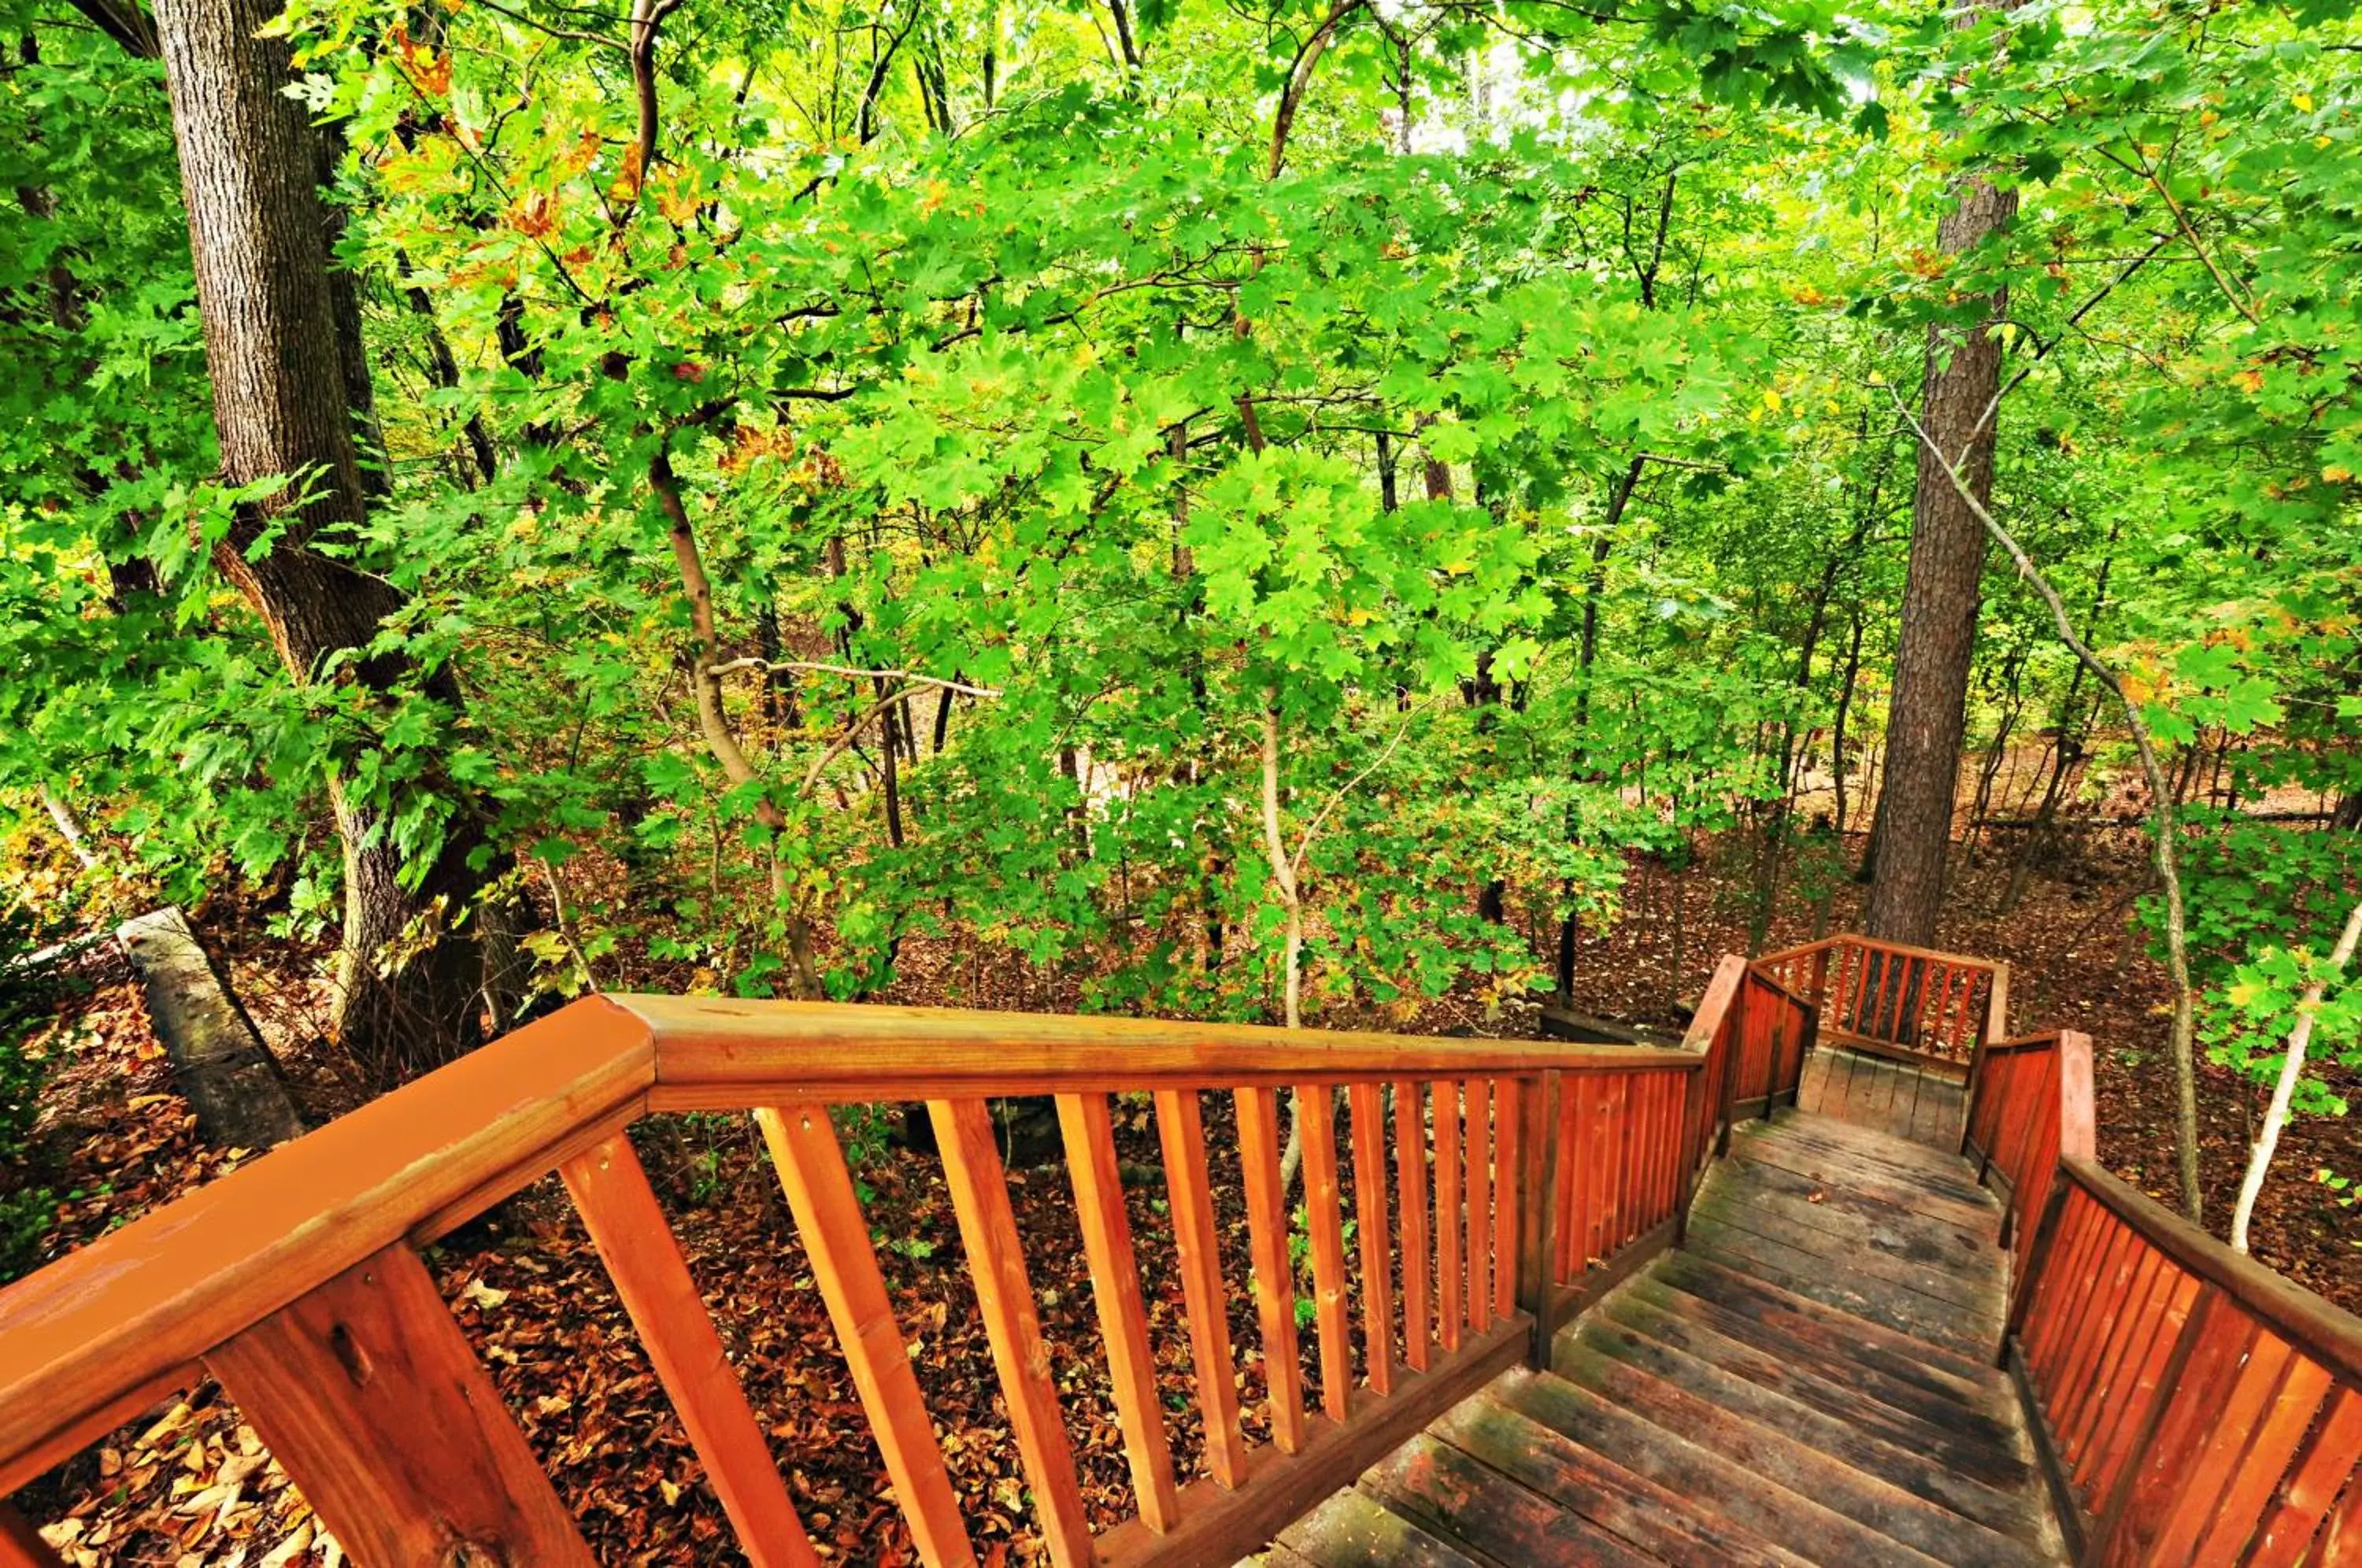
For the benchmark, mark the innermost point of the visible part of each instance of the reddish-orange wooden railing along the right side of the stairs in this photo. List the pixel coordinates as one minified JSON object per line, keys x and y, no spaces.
{"x":2191,"y":1406}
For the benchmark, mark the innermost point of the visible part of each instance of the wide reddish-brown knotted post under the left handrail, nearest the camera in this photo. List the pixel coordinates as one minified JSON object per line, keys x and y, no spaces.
{"x":372,"y":1399}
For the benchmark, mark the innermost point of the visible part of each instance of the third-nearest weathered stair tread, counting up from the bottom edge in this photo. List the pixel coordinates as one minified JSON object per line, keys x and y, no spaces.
{"x":1673,"y":1529}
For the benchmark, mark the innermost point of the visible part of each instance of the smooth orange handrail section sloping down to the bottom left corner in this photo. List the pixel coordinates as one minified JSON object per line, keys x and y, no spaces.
{"x":136,"y":1307}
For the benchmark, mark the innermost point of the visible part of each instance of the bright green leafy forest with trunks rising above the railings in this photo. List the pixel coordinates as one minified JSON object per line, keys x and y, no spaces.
{"x":1237,"y":511}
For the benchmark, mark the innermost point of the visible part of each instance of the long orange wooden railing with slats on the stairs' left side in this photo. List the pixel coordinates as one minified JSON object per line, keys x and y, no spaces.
{"x":1525,"y":1180}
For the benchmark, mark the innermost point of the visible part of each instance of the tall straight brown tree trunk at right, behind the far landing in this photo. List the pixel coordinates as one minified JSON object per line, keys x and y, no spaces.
{"x":1940,"y":599}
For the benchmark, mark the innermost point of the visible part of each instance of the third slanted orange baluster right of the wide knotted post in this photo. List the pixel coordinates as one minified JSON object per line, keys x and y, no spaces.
{"x":988,"y":1231}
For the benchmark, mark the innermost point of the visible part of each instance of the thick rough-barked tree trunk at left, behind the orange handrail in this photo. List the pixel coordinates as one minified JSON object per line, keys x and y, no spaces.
{"x":282,"y":344}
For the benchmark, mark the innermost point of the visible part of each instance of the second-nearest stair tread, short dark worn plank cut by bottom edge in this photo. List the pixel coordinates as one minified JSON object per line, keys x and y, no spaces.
{"x":1461,"y":1501}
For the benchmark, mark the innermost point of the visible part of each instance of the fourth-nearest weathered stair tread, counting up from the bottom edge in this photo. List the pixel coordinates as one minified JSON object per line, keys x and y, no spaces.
{"x":1747,"y":1498}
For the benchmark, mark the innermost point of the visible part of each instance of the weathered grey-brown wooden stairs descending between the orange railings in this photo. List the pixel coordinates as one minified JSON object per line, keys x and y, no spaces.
{"x":1808,"y":1380}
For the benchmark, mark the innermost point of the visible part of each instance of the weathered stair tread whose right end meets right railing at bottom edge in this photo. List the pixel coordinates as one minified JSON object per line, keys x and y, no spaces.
{"x":1872,"y":1503}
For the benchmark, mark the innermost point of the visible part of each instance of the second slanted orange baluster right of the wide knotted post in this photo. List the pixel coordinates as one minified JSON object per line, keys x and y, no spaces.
{"x":835,"y":1239}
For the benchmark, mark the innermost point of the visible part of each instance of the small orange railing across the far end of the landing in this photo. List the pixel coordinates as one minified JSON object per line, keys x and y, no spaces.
{"x":1903,"y":1002}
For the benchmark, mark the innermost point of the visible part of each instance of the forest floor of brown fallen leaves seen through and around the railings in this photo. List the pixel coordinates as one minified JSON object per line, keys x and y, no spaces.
{"x":190,"y":1482}
